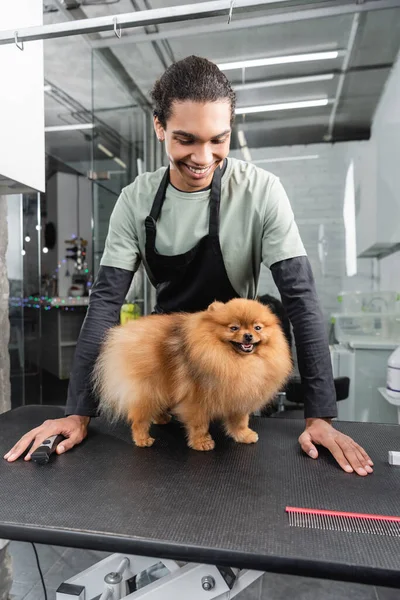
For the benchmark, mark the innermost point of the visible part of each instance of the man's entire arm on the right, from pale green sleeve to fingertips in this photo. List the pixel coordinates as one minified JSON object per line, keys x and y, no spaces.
{"x":283,"y":252}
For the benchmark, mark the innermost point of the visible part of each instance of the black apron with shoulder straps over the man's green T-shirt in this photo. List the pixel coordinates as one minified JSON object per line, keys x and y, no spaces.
{"x":191,"y":281}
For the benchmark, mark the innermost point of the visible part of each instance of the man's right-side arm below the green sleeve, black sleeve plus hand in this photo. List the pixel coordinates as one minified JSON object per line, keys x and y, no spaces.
{"x":295,"y":282}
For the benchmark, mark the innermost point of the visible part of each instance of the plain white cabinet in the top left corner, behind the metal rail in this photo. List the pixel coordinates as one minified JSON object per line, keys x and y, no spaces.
{"x":22,"y":157}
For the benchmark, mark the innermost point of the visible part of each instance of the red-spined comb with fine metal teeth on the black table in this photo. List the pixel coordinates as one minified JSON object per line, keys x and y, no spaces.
{"x":344,"y":521}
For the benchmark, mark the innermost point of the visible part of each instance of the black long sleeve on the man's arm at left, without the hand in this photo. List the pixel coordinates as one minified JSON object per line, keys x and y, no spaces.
{"x":107,"y":296}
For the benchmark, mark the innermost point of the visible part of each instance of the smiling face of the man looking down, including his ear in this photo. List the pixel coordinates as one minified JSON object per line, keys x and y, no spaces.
{"x":197,"y":138}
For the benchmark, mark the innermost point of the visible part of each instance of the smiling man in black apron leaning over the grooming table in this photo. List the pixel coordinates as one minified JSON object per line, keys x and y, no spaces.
{"x":202,"y":227}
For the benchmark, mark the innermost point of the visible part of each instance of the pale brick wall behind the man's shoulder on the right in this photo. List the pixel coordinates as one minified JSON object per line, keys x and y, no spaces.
{"x":315,"y":187}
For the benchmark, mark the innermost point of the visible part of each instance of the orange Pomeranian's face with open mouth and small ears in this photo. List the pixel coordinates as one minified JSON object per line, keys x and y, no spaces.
{"x":244,"y":324}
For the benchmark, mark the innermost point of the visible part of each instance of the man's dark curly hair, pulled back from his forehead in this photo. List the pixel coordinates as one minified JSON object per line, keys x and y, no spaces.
{"x":193,"y":78}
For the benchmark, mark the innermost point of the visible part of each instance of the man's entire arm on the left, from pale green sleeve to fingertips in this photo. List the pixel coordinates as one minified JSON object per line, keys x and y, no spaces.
{"x":121,"y":259}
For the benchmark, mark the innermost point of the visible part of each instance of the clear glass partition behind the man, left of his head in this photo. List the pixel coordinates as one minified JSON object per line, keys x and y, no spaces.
{"x":123,"y":147}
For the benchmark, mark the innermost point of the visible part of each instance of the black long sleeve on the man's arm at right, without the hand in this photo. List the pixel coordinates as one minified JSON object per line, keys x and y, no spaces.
{"x":295,"y":282}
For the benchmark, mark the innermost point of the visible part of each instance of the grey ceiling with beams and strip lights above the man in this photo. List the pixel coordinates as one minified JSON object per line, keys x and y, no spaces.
{"x":124,"y":69}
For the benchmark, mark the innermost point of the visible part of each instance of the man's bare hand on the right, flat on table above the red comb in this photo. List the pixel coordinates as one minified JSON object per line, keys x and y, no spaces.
{"x":350,"y":456}
